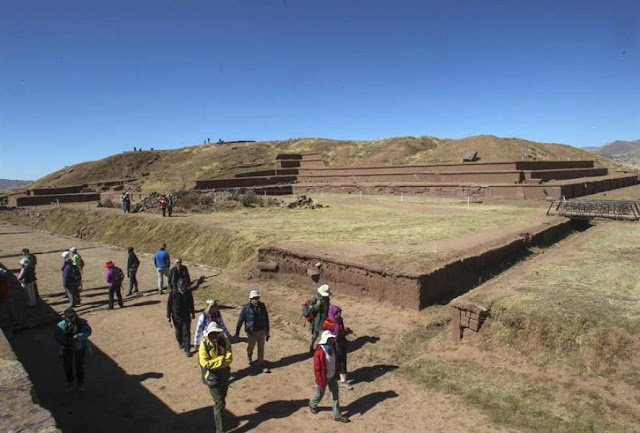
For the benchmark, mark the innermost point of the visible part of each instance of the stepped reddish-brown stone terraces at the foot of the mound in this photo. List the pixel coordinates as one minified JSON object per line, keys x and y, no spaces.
{"x":307,"y":173}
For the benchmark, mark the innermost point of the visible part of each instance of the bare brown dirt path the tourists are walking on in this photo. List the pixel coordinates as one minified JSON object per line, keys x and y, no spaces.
{"x":138,"y":380}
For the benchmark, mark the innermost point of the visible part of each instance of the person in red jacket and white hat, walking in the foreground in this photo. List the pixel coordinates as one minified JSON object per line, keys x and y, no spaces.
{"x":325,"y":371}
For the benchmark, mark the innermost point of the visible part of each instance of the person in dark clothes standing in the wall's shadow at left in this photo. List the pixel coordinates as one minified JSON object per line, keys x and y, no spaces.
{"x":72,"y":334}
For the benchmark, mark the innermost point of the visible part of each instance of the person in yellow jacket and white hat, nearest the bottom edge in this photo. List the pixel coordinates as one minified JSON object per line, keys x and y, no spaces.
{"x":215,"y":357}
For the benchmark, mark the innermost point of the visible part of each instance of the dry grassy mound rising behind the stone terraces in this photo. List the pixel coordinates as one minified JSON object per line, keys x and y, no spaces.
{"x":180,"y":168}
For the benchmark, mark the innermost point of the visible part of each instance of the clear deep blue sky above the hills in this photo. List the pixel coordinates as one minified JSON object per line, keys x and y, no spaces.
{"x":80,"y":80}
